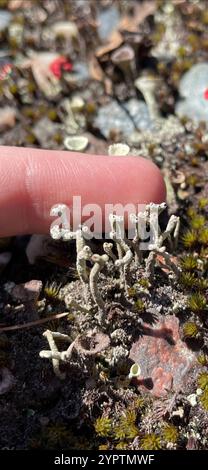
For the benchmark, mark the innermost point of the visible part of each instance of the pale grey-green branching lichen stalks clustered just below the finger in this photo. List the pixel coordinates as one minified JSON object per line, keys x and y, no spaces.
{"x":124,"y":257}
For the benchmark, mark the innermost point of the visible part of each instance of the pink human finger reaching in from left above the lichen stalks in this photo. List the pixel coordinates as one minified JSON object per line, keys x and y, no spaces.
{"x":34,"y":180}
